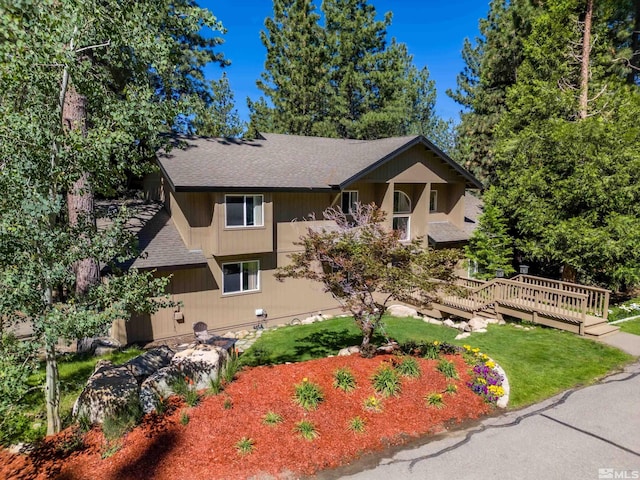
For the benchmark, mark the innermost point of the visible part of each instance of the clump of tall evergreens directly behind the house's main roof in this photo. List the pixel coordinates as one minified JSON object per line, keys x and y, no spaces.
{"x":343,"y":79}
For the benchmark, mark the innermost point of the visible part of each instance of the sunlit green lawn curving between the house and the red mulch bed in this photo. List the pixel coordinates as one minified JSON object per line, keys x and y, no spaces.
{"x":539,"y":363}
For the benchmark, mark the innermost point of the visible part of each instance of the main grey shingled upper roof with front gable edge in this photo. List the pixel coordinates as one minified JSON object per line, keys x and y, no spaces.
{"x":283,"y":162}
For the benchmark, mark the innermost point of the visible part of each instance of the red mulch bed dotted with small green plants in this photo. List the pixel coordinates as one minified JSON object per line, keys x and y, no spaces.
{"x":163,"y":449}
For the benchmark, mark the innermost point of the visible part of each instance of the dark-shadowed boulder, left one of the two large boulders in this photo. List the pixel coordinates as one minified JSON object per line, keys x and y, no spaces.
{"x":108,"y":390}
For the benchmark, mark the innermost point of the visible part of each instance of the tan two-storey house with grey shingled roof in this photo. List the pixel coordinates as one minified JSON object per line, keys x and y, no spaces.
{"x":233,"y":209}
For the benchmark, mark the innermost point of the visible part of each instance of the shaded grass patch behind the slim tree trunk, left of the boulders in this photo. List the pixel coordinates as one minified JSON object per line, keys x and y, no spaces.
{"x":74,"y":370}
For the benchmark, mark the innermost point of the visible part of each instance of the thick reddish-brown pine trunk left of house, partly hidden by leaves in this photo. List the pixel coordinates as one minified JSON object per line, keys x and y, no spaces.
{"x":80,"y":200}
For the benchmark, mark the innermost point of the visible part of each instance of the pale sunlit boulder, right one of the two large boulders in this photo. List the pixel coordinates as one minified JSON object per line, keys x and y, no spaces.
{"x":199,"y":366}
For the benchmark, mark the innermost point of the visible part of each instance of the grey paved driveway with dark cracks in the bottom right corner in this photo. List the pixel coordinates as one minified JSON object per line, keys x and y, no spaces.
{"x":586,"y":433}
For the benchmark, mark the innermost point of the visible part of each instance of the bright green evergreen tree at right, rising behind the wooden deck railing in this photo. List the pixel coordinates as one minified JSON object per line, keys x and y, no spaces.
{"x":568,"y":158}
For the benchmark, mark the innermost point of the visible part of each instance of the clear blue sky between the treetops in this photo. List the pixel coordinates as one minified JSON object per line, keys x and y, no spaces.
{"x":433,"y":30}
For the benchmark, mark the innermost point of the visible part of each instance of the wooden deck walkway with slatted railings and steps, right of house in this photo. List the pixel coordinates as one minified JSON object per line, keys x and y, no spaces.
{"x":568,"y":306}
